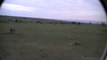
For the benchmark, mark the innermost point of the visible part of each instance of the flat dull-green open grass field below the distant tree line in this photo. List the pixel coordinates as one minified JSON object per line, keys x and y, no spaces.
{"x":33,"y":41}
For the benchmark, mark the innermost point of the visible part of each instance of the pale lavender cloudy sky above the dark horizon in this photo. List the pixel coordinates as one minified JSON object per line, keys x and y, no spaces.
{"x":78,"y":10}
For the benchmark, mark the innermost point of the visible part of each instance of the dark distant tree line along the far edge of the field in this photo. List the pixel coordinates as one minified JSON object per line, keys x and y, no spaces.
{"x":40,"y":21}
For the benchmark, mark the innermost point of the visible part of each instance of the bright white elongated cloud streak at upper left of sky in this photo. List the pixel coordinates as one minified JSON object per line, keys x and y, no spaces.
{"x":16,"y":7}
